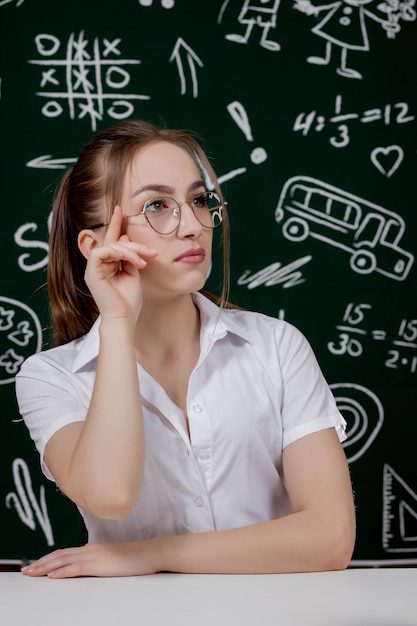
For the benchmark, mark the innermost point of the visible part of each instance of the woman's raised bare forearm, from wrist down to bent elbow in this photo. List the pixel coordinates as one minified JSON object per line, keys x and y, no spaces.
{"x":105,"y":469}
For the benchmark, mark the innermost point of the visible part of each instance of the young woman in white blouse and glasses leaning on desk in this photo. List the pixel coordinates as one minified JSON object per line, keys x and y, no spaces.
{"x":193,"y":437}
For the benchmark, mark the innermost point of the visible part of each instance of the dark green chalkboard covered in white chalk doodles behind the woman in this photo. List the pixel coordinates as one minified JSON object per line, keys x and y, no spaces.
{"x":308,"y":110}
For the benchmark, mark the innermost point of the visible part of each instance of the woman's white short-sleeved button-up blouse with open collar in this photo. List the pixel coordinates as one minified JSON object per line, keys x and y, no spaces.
{"x":256,"y":388}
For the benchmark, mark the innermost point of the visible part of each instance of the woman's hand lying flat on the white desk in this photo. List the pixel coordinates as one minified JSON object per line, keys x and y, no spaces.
{"x":97,"y":559}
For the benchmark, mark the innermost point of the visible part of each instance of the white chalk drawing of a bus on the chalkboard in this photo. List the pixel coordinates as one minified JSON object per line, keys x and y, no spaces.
{"x":370,"y":233}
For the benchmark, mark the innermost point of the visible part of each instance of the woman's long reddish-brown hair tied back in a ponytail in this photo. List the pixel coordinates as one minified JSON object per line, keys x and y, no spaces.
{"x":97,"y":179}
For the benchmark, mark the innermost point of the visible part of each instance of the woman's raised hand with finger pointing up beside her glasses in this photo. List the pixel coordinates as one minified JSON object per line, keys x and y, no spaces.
{"x":113,"y":272}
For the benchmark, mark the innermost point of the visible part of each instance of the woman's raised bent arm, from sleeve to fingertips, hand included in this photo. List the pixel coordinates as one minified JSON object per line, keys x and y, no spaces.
{"x":99,"y":463}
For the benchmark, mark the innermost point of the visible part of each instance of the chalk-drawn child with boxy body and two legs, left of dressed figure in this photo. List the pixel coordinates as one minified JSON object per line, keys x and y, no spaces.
{"x":263,"y":14}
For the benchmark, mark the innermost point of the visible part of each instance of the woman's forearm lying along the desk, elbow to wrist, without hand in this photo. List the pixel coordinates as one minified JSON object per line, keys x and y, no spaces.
{"x":299,"y":542}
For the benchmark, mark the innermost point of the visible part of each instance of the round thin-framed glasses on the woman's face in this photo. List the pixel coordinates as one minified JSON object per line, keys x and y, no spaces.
{"x":163,"y":214}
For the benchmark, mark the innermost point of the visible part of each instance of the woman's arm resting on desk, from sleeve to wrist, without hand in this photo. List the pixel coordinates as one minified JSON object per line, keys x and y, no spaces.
{"x":319,"y":535}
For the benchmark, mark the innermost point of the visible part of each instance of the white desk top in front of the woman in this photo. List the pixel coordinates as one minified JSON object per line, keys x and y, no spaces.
{"x":356,"y":597}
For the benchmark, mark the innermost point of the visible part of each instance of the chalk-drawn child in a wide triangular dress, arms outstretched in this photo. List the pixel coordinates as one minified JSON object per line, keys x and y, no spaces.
{"x":344,"y":26}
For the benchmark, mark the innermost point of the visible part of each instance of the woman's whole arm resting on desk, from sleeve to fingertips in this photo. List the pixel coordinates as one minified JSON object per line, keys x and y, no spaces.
{"x":319,"y":535}
